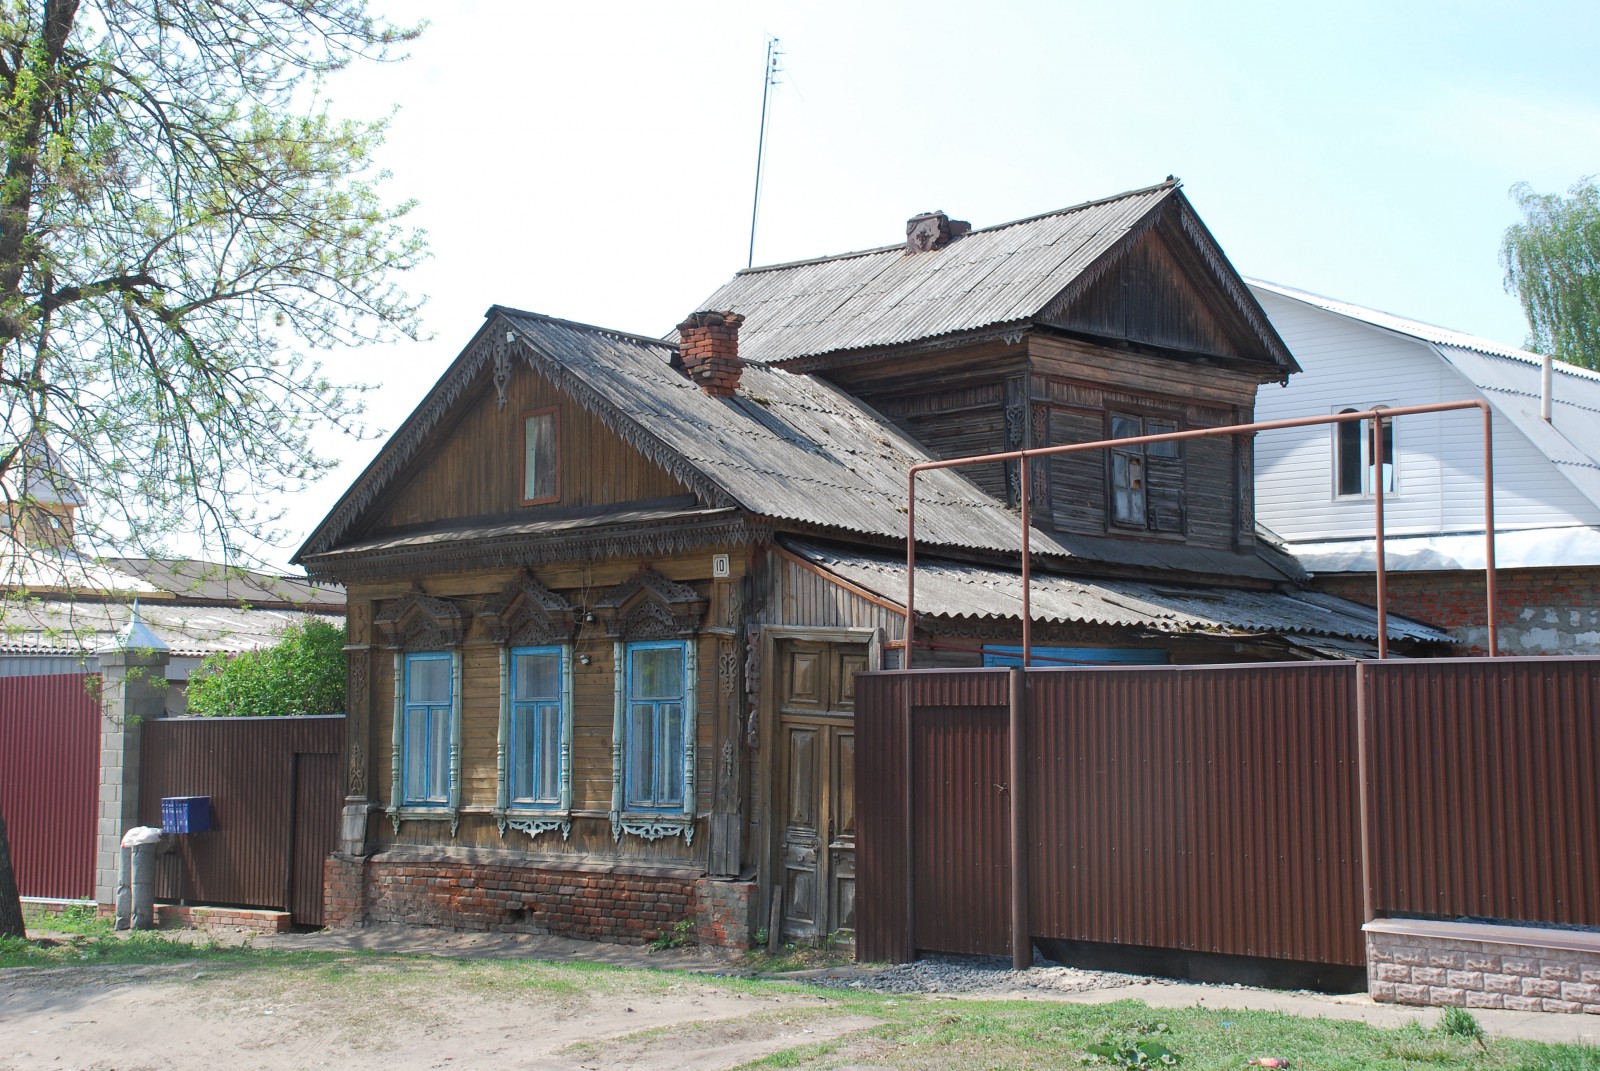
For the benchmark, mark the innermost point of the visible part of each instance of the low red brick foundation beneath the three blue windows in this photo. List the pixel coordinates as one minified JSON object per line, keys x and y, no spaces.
{"x":614,"y":904}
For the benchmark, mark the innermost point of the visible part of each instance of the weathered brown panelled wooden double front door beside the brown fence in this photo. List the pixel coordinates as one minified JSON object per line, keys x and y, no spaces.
{"x":817,"y":788}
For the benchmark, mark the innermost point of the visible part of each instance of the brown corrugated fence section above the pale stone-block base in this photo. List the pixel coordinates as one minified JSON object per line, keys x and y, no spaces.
{"x":1484,"y":790}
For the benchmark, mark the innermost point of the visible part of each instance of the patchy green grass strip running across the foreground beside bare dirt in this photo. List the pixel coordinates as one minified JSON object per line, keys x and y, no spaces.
{"x":908,"y":1032}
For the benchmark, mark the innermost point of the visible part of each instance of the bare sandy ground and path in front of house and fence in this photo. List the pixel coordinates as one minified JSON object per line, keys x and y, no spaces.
{"x":442,"y":1011}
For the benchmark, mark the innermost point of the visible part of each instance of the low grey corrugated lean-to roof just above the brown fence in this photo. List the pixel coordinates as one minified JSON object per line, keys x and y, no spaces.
{"x":956,"y":590}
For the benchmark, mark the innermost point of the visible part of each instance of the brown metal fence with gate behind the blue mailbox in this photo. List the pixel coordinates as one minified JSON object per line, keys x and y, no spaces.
{"x":276,"y":796}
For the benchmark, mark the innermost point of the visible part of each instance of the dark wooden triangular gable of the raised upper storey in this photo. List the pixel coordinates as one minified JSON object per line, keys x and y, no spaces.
{"x":1159,"y":292}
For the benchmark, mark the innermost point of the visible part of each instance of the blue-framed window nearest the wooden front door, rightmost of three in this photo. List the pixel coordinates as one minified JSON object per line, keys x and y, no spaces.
{"x":654,"y":718}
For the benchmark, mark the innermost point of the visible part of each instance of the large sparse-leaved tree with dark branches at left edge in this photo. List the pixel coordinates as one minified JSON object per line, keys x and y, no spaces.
{"x":183,"y":223}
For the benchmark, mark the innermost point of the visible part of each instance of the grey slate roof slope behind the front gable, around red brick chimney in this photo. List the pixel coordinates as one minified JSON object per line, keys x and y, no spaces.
{"x":796,"y":449}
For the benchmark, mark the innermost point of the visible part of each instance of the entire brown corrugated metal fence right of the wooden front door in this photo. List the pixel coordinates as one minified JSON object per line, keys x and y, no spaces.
{"x":1218,"y":809}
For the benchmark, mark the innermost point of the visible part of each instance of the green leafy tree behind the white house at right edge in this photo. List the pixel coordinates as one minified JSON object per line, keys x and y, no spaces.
{"x":1553,"y":265}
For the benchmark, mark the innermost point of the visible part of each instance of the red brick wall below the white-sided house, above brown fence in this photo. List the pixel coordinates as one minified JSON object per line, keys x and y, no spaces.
{"x":1542,"y":611}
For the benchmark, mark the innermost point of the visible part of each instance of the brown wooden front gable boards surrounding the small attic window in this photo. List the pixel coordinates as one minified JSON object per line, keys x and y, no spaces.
{"x":473,"y":463}
